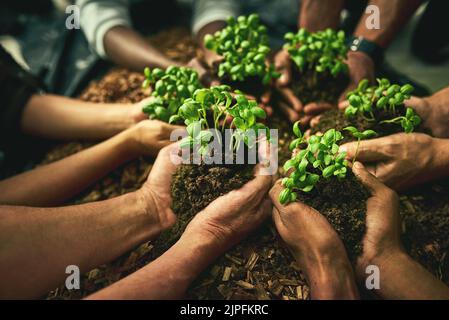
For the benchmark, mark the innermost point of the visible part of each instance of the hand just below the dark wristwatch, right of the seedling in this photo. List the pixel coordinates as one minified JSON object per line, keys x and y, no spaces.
{"x":361,"y":66}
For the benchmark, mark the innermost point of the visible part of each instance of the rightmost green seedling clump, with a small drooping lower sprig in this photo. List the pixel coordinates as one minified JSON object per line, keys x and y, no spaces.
{"x":367,"y":101}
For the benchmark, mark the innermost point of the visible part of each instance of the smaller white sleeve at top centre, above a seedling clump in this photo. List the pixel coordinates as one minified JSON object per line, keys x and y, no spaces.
{"x":207,"y":11}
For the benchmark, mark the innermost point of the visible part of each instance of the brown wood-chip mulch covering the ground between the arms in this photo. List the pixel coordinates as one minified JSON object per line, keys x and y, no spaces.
{"x":260,"y":267}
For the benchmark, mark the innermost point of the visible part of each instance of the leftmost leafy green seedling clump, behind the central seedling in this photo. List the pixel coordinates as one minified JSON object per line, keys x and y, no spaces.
{"x":171,"y":88}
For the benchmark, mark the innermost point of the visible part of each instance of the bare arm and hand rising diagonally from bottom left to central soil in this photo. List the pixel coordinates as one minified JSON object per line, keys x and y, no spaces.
{"x":222,"y":224}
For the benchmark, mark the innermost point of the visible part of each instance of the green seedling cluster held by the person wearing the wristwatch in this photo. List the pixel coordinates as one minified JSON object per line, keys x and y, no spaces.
{"x":322,"y":51}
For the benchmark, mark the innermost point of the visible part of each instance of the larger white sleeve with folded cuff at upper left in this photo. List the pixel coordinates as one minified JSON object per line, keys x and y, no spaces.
{"x":98,"y":16}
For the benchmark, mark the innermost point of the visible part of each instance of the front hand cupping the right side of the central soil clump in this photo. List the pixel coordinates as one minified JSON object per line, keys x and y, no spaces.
{"x":230,"y":218}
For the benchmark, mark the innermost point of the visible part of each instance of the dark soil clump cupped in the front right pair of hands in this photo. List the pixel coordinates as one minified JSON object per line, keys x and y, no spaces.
{"x":342,"y":202}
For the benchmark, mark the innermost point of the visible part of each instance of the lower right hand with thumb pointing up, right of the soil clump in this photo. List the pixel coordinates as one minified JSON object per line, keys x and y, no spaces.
{"x":383,"y":222}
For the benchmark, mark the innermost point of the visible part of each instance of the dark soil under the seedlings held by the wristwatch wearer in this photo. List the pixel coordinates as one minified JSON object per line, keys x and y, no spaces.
{"x":312,"y":86}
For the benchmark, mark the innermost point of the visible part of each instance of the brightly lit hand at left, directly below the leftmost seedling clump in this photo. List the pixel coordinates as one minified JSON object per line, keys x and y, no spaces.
{"x":149,"y":136}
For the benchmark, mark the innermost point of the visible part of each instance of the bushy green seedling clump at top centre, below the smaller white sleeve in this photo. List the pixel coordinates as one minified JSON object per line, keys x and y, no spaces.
{"x":244,"y":46}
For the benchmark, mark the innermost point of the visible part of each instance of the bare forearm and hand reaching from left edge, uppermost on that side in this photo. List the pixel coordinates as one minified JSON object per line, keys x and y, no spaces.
{"x":60,"y":118}
